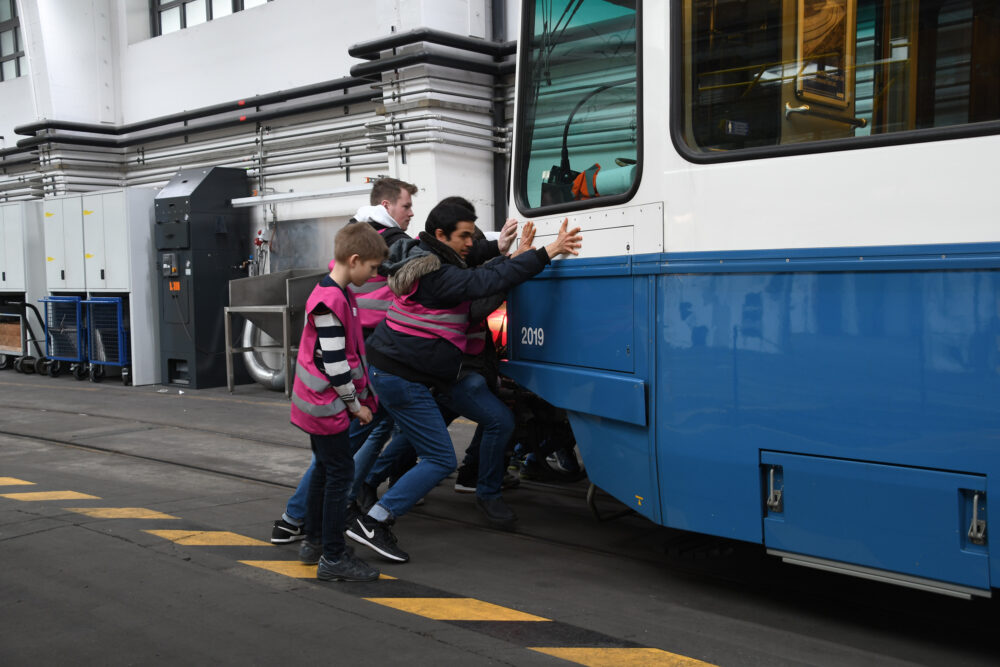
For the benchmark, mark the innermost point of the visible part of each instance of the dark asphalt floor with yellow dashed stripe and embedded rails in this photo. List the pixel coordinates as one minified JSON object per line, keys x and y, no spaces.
{"x":151,"y":547}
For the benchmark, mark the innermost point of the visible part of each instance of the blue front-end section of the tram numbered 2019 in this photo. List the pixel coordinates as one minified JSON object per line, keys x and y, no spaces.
{"x":580,"y":337}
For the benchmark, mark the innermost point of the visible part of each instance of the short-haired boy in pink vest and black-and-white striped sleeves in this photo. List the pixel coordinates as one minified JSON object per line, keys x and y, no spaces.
{"x":331,"y":389}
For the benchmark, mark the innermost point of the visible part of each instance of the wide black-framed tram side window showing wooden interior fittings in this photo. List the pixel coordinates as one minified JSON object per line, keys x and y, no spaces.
{"x":760,"y":73}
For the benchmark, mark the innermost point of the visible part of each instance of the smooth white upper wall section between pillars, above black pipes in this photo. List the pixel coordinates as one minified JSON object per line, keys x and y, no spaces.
{"x":283,"y":44}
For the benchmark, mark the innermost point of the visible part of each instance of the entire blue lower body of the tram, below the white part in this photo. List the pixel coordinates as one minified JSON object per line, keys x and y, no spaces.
{"x":866,"y":385}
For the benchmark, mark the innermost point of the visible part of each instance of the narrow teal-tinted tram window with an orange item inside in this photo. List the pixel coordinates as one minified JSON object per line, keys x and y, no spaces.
{"x":578,"y":125}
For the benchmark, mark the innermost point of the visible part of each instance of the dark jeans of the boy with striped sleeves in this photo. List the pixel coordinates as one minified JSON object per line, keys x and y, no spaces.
{"x":329,"y":485}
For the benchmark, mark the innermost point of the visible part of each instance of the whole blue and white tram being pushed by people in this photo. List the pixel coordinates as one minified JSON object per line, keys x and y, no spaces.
{"x":784,"y":326}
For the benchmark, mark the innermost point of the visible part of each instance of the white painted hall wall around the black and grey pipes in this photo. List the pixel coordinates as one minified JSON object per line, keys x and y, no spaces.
{"x":94,"y":61}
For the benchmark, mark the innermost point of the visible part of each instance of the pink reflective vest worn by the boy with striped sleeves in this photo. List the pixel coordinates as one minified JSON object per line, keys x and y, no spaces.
{"x":316,"y":407}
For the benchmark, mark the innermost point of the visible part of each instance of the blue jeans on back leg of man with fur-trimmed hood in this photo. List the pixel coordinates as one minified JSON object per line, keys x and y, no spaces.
{"x":419,"y":419}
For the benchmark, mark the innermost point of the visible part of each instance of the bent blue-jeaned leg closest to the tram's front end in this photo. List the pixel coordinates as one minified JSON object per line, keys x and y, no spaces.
{"x":472,"y":398}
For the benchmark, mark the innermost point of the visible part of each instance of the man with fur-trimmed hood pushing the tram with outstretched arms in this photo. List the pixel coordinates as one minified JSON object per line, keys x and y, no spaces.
{"x":419,"y":347}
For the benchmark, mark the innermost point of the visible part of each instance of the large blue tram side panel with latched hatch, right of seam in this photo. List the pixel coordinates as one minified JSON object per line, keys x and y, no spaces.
{"x":871,"y":394}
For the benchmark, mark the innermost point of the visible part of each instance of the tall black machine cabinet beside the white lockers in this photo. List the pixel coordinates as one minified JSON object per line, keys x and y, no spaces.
{"x":201,"y":241}
